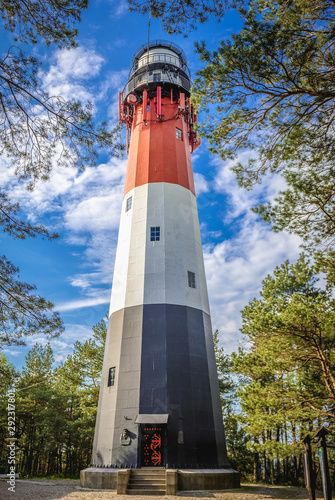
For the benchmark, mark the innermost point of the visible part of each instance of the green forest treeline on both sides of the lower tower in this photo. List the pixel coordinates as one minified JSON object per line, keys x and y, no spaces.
{"x":275,"y":390}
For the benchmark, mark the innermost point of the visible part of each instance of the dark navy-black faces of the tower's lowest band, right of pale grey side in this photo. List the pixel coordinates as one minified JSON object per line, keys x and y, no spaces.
{"x":175,"y":379}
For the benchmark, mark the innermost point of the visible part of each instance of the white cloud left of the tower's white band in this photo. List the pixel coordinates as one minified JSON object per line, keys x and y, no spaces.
{"x":85,"y":209}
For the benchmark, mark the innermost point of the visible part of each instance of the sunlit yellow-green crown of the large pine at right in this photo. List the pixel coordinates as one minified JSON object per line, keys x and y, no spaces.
{"x":291,"y":328}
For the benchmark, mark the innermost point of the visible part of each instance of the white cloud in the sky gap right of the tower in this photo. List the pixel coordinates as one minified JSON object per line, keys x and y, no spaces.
{"x":236,"y":266}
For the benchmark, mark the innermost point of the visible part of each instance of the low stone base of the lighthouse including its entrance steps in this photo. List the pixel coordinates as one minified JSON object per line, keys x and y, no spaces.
{"x":158,"y":481}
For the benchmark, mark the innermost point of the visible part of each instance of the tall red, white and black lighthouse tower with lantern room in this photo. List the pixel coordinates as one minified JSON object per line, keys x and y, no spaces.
{"x":159,"y":400}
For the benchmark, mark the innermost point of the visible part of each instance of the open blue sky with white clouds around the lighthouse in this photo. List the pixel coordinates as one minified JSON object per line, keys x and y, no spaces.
{"x":75,"y":272}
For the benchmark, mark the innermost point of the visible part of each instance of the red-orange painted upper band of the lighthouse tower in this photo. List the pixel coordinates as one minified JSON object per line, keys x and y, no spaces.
{"x":154,"y":153}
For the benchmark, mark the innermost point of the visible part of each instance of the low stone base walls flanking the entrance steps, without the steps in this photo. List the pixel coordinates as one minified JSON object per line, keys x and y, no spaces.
{"x":176,"y":479}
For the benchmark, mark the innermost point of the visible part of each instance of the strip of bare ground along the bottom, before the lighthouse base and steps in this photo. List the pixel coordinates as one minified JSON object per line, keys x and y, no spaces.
{"x":44,"y":489}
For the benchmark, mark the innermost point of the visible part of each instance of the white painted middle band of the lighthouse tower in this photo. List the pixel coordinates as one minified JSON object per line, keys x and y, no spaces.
{"x":149,"y":272}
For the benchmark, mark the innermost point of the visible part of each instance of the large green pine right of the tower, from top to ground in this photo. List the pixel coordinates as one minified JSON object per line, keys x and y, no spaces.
{"x":287,"y":383}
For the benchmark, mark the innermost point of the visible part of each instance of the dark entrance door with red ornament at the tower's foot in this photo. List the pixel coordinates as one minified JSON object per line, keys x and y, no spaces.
{"x":152,"y":445}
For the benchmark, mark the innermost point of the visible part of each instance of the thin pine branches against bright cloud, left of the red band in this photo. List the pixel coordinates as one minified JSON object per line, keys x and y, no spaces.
{"x":37,"y":130}
